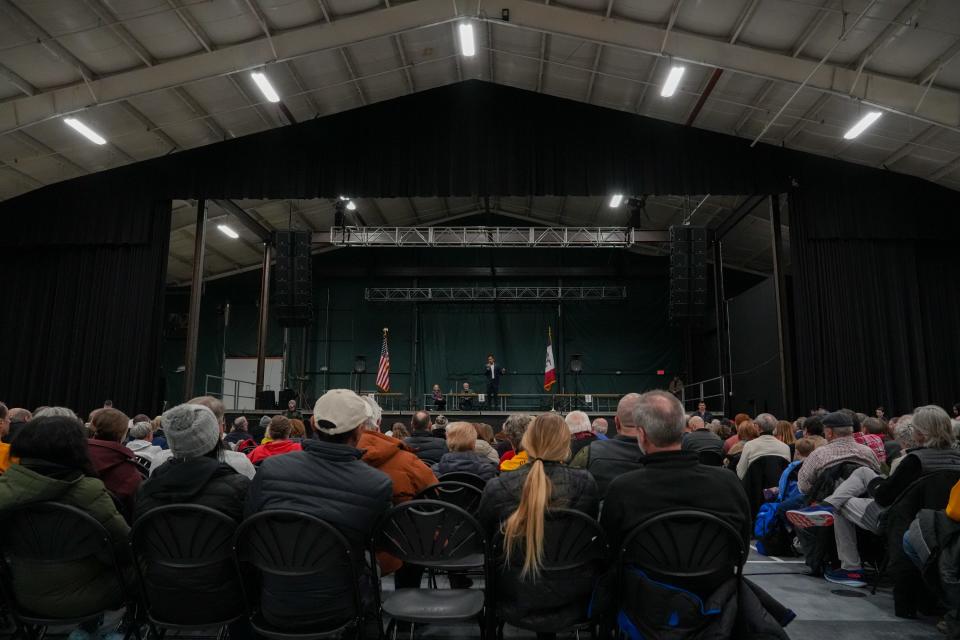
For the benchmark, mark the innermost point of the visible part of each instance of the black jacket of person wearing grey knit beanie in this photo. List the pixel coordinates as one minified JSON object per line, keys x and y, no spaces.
{"x":174,"y":593}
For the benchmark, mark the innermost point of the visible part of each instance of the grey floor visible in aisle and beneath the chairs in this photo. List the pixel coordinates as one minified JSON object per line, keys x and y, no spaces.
{"x":824,"y":610}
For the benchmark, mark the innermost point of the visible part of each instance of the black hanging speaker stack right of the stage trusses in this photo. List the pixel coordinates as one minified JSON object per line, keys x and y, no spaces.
{"x":688,"y":272}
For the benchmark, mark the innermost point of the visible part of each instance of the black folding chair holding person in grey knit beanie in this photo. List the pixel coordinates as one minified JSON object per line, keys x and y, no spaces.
{"x":183,"y":554}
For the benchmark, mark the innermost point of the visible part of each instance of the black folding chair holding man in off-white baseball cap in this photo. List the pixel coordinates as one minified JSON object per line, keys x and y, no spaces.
{"x":289,"y":546}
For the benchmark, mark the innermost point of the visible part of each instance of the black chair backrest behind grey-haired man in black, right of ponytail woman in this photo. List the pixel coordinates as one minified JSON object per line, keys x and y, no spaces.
{"x":685,"y":544}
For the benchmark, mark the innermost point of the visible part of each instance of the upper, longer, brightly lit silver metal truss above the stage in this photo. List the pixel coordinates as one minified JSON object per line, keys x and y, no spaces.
{"x":552,"y":237}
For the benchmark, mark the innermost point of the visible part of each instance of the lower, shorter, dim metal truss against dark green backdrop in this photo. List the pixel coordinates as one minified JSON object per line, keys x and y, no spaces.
{"x":499,"y":294}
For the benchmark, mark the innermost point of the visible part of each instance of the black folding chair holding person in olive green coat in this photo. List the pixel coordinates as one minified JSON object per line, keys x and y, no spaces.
{"x":51,"y":534}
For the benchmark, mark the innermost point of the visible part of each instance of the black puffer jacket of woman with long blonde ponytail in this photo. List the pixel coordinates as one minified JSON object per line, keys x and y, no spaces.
{"x":563,"y":599}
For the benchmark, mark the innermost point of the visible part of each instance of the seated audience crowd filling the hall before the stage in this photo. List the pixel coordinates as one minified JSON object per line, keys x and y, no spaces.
{"x":814,"y":486}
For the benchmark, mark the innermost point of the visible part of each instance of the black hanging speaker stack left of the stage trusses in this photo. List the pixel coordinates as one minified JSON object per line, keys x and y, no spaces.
{"x":293,"y":278}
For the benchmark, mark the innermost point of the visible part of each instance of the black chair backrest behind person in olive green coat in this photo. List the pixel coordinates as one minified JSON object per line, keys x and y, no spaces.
{"x":51,"y":533}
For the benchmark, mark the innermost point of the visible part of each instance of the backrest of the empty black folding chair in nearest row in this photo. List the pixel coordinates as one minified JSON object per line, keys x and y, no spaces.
{"x":429,"y":531}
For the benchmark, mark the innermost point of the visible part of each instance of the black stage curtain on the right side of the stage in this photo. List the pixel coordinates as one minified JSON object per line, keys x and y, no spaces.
{"x":875,"y":292}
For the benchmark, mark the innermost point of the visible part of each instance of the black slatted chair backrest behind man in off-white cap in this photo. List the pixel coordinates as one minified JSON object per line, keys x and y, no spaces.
{"x":282,"y":544}
